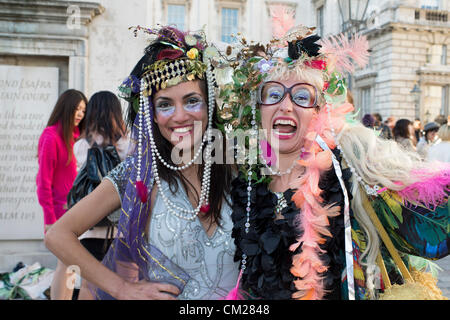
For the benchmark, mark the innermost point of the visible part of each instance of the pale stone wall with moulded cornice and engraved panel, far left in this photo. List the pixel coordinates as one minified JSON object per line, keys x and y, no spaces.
{"x":34,"y":36}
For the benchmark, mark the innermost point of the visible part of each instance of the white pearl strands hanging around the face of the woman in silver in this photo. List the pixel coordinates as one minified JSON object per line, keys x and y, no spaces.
{"x":145,"y":112}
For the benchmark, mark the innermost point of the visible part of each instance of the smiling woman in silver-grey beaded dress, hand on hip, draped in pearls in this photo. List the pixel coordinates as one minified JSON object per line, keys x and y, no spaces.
{"x":174,"y":233}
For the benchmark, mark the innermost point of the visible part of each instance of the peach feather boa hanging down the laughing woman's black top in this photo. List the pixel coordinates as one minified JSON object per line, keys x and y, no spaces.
{"x":313,"y":220}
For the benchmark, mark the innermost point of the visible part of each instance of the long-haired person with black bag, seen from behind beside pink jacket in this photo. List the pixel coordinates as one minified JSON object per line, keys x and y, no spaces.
{"x":104,"y":140}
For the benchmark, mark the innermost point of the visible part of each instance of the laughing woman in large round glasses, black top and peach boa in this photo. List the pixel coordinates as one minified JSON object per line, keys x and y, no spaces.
{"x":307,"y":214}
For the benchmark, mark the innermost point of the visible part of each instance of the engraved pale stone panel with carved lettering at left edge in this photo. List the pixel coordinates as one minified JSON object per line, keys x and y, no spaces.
{"x":27,"y":97}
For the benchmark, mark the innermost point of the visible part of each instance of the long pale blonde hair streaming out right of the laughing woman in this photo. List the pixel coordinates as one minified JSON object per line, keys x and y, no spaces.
{"x":378,"y":162}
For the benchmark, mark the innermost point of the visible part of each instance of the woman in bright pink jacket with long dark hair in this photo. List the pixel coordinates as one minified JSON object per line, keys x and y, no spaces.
{"x":58,"y":169}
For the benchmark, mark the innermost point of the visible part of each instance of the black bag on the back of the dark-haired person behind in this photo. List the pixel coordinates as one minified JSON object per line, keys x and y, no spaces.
{"x":100,"y":161}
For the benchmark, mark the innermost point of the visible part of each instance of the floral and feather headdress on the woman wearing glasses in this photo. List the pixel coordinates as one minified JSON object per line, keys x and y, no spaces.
{"x":299,"y":48}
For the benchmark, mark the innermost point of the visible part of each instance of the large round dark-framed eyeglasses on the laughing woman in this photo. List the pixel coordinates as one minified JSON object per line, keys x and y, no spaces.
{"x":302,"y":94}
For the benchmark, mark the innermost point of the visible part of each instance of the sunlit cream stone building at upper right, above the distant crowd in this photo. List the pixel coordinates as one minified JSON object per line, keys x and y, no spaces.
{"x":409,"y":48}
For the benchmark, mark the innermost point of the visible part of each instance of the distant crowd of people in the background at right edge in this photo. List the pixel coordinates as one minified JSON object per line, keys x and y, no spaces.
{"x":413,"y":135}
